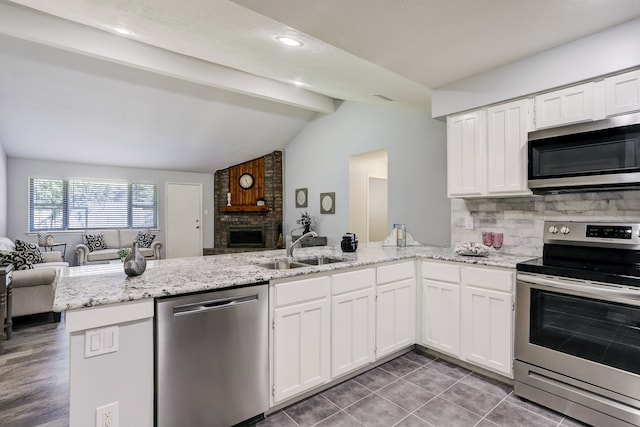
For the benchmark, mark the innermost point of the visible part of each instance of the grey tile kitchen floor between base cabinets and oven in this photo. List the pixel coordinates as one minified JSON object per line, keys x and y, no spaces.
{"x":417,"y":390}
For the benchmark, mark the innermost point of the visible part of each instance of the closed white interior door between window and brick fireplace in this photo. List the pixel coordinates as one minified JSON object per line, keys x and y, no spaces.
{"x":184,"y":220}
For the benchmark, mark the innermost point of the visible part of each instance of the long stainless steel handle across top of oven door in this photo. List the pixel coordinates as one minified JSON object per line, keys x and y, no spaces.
{"x":591,"y":290}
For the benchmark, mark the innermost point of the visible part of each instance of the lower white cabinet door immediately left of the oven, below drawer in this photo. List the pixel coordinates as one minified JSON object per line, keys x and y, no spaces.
{"x":487,"y":328}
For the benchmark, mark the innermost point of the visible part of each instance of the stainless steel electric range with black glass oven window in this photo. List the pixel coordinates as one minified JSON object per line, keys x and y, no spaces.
{"x":577,"y":340}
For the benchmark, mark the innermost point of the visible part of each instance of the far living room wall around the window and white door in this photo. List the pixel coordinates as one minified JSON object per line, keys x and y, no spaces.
{"x":19,"y":171}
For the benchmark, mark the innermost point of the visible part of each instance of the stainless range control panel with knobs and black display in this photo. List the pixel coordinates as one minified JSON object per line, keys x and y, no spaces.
{"x":592,"y":233}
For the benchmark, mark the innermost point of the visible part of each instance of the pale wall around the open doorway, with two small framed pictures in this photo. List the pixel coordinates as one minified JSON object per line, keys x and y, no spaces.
{"x":318,"y":159}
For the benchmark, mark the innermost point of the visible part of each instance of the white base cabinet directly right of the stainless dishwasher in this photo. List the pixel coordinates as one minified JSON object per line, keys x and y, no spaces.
{"x":301,"y":336}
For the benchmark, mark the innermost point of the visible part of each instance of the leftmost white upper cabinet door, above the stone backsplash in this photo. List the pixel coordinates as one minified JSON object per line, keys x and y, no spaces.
{"x":466,"y":154}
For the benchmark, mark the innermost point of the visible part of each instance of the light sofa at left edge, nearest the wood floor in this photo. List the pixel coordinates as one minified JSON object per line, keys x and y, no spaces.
{"x":33,"y":283}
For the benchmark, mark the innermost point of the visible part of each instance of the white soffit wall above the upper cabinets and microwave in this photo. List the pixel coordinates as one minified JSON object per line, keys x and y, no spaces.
{"x":606,"y":52}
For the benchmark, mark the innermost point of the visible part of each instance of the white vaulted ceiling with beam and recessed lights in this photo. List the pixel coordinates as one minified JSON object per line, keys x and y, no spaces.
{"x":198,"y":85}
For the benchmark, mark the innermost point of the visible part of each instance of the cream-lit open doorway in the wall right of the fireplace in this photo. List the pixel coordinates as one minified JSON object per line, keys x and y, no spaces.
{"x":368,"y":201}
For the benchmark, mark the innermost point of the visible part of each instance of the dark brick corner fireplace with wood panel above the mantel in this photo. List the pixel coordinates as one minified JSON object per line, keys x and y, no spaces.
{"x":247,"y":227}
